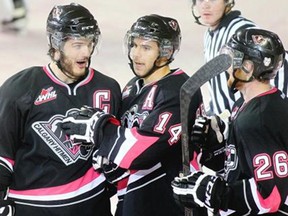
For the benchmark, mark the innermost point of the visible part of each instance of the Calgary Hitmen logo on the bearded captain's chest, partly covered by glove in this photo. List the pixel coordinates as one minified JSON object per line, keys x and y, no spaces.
{"x":51,"y":133}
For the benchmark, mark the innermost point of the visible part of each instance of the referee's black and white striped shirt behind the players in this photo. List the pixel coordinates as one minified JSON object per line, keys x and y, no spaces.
{"x":221,"y":97}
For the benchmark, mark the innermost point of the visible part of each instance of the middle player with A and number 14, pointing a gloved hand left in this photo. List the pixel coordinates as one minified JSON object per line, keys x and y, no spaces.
{"x":145,"y":150}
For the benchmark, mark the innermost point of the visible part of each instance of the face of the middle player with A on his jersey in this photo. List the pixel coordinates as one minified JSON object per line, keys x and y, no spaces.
{"x":143,"y":53}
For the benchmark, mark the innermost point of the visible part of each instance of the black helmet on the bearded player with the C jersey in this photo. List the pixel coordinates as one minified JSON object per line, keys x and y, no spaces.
{"x":71,"y":20}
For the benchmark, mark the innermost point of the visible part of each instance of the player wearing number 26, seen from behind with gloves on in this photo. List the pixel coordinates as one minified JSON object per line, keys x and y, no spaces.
{"x":256,"y":167}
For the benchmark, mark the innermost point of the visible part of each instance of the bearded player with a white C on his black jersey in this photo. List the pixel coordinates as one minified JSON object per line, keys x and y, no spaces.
{"x":46,"y":173}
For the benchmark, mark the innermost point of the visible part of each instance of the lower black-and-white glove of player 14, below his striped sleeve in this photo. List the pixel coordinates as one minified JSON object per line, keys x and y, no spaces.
{"x":112,"y":171}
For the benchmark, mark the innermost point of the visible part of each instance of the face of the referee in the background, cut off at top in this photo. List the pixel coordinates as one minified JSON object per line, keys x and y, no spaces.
{"x":210,"y":11}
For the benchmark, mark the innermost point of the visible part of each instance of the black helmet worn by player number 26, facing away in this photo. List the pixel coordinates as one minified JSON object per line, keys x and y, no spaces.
{"x":262,"y":47}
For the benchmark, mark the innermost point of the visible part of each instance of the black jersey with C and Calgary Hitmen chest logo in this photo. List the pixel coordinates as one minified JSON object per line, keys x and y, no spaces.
{"x":51,"y":175}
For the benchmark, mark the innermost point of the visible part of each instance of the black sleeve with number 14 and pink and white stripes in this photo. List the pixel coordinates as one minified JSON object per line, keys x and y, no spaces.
{"x":156,"y":138}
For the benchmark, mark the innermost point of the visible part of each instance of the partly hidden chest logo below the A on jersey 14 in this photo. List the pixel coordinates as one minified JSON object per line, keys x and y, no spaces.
{"x":132,"y":118}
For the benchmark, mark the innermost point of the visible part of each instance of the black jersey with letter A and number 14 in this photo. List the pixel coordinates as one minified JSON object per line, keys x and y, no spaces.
{"x":148,"y":145}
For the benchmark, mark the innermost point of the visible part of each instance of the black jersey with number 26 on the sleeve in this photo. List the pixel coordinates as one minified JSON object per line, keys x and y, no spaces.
{"x":257,"y":157}
